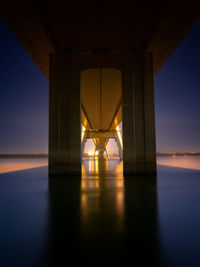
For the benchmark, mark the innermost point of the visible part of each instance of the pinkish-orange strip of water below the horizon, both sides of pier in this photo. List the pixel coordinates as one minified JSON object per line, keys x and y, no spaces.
{"x":9,"y":165}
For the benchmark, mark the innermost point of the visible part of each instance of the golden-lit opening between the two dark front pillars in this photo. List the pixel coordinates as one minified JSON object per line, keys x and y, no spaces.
{"x":101,"y":90}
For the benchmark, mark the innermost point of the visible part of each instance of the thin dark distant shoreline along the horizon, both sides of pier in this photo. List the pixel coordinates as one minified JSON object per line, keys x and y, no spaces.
{"x":9,"y":156}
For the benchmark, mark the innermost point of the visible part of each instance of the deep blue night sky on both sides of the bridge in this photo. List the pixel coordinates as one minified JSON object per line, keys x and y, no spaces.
{"x":24,"y":98}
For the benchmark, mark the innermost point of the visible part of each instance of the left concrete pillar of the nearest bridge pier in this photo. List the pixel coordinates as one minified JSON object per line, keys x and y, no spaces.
{"x":64,"y":116}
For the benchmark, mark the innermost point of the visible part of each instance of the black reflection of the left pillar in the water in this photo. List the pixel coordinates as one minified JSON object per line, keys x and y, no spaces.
{"x":64,"y":220}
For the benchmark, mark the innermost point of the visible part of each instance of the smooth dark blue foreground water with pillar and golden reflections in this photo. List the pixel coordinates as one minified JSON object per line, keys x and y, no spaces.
{"x":101,"y":219}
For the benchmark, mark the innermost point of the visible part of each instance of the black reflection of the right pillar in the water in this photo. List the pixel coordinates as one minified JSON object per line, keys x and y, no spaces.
{"x":141,"y":220}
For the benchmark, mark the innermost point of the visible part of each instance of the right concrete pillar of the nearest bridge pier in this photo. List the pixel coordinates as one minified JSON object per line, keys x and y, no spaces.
{"x":139,"y":150}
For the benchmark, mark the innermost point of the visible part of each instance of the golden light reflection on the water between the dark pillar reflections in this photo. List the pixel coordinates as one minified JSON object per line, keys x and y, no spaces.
{"x":102,"y":190}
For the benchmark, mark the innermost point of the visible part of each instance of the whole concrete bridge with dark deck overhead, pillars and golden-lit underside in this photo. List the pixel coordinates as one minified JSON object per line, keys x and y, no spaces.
{"x":100,"y":58}
